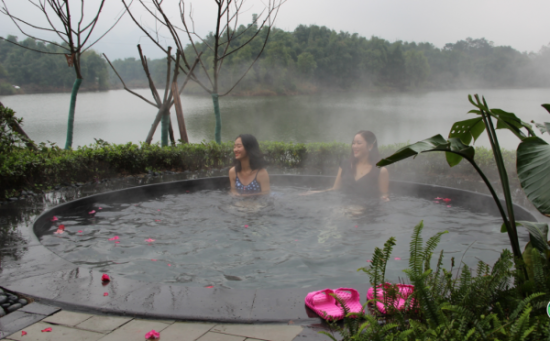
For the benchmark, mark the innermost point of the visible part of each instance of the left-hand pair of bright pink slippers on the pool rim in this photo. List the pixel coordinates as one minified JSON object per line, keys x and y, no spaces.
{"x":328,"y":307}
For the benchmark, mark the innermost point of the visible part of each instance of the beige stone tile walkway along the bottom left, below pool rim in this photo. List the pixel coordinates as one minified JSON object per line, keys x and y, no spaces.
{"x":71,"y":326}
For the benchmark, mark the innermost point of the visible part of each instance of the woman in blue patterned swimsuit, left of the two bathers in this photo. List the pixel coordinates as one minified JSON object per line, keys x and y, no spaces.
{"x":248,"y":177}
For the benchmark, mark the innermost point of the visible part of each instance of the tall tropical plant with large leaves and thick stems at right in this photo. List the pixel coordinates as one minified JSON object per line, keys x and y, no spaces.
{"x":533,"y":164}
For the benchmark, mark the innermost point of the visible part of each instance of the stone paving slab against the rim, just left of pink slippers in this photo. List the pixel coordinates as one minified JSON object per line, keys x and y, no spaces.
{"x":263,"y":332}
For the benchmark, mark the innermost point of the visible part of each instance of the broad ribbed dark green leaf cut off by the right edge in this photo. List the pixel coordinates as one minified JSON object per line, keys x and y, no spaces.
{"x":533,"y":168}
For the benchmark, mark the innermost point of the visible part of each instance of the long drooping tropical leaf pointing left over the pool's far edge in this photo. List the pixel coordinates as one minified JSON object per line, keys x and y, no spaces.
{"x":434,"y":143}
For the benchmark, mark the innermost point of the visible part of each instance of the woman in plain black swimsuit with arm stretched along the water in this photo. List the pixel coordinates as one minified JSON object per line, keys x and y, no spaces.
{"x":359,"y":174}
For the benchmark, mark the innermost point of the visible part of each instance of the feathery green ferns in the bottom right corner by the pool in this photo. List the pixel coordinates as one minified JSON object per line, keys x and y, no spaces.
{"x":467,"y":307}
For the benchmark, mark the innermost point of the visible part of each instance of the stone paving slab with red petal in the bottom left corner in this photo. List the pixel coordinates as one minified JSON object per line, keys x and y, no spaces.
{"x":58,"y":333}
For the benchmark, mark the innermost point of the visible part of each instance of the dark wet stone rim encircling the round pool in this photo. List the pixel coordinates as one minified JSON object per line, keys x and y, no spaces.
{"x":51,"y":279}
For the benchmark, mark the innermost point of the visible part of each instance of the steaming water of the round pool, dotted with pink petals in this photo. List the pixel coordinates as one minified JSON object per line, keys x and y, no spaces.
{"x":194,"y":233}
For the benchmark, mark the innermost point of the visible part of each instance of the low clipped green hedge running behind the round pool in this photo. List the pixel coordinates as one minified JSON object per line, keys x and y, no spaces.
{"x":25,"y":169}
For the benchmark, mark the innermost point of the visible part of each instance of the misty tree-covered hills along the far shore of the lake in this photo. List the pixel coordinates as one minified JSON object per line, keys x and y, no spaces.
{"x":308,"y":59}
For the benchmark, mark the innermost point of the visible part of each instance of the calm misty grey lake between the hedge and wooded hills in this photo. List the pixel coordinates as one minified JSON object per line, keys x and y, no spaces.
{"x":119,"y":117}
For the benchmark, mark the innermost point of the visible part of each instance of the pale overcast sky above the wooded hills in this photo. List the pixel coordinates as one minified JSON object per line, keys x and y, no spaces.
{"x":524,"y":25}
